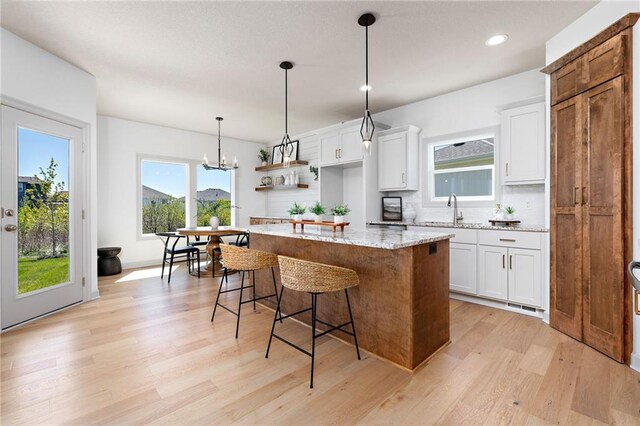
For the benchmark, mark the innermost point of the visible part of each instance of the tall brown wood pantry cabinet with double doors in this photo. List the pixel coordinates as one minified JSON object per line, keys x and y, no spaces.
{"x":591,"y":192}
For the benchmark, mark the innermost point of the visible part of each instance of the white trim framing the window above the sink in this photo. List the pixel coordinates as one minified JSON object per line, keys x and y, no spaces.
{"x":429,"y":200}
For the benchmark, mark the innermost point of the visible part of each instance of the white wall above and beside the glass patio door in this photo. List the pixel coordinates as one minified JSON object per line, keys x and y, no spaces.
{"x":39,"y":82}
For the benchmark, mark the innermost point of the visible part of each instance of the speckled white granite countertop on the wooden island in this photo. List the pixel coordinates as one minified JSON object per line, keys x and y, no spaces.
{"x":390,"y":239}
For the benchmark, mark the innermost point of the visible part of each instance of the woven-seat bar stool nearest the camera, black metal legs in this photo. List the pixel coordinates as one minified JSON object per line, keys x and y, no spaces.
{"x":314,"y":278}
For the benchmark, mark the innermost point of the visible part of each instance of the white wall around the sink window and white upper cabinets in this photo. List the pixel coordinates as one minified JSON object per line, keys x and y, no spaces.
{"x":465,"y":110}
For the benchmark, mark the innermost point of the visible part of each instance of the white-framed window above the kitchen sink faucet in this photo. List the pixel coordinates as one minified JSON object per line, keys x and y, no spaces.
{"x":464,"y":166}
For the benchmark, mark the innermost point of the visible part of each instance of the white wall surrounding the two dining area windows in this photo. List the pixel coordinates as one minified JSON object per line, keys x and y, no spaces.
{"x":119,"y":144}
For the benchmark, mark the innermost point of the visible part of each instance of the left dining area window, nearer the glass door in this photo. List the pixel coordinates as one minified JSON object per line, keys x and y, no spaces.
{"x":163,"y":196}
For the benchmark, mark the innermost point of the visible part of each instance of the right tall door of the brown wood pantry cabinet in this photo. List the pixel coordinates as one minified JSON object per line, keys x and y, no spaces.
{"x":603,"y":243}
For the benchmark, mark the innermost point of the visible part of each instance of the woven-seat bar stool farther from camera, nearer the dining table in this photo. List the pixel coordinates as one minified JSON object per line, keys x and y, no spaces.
{"x":245,"y":260}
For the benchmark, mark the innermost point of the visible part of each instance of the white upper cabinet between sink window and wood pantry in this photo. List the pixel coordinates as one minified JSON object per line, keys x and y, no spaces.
{"x":523,"y":145}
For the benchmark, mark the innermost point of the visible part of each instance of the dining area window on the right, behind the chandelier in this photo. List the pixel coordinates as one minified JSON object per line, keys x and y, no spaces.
{"x":213,"y":196}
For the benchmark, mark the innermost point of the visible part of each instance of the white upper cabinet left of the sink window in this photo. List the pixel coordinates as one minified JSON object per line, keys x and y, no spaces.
{"x":398,"y":159}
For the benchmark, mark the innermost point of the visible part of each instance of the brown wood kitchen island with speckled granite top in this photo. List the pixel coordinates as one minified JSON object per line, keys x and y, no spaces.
{"x":400,"y":308}
